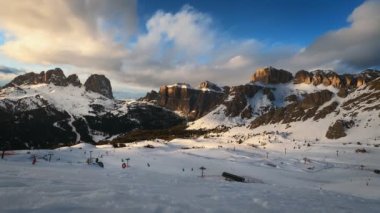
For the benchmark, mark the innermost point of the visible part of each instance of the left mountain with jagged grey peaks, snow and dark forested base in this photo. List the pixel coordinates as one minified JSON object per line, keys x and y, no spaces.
{"x":38,"y":112}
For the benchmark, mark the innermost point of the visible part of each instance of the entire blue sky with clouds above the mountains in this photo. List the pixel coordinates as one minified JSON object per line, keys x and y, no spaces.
{"x":142,"y":44}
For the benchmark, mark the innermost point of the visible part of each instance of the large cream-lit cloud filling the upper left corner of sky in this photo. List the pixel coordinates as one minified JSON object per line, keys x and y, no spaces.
{"x":80,"y":33}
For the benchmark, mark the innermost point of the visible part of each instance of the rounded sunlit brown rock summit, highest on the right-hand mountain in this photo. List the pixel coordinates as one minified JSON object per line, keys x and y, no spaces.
{"x":270,"y":75}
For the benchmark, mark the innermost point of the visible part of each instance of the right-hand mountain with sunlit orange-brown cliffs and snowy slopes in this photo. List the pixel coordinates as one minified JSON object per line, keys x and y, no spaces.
{"x":331,"y":105}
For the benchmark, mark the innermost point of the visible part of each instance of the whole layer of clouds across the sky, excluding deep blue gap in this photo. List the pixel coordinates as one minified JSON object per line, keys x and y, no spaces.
{"x":94,"y":36}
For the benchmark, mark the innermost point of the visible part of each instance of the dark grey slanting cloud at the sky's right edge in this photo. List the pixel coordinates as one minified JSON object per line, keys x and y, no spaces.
{"x":354,"y":47}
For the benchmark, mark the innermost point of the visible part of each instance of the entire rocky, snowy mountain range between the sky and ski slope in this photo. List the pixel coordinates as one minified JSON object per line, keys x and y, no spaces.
{"x":48,"y":109}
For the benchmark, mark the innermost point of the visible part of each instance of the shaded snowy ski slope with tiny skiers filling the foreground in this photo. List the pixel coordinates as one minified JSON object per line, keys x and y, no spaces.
{"x":172,"y":182}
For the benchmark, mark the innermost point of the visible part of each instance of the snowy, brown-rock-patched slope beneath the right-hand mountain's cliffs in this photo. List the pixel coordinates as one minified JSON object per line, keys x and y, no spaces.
{"x":305,"y":117}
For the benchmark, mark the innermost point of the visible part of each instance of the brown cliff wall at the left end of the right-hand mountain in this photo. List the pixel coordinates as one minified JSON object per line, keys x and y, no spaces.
{"x":190,"y":102}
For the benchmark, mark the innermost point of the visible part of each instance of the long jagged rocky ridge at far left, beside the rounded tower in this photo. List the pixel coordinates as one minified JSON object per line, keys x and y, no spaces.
{"x":55,"y":76}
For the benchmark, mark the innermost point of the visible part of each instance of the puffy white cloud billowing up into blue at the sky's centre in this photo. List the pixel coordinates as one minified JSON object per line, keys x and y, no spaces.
{"x":184,"y":46}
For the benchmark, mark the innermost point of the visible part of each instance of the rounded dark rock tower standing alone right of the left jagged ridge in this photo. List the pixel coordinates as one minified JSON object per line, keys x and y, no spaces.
{"x":99,"y":84}
